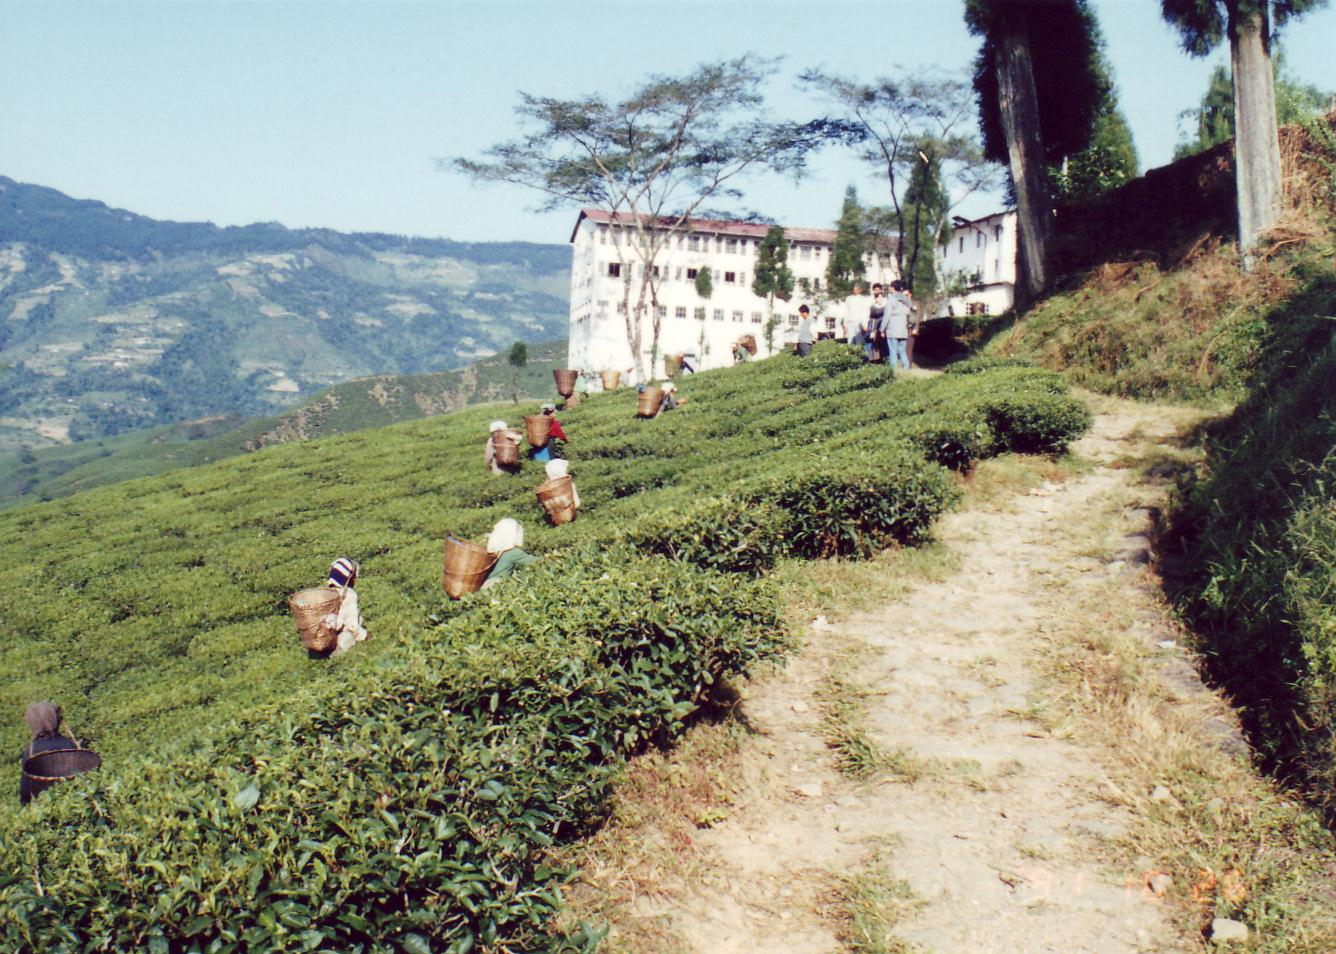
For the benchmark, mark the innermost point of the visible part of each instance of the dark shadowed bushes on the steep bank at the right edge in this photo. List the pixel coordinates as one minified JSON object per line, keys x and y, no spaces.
{"x":1257,"y":536}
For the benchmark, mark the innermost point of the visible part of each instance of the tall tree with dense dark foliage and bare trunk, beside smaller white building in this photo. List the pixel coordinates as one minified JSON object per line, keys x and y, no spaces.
{"x":1039,"y":86}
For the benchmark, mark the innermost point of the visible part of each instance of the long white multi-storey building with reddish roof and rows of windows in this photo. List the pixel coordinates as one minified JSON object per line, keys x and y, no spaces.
{"x":690,"y":324}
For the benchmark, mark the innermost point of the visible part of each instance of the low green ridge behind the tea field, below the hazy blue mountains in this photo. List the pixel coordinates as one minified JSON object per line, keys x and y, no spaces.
{"x":59,"y":471}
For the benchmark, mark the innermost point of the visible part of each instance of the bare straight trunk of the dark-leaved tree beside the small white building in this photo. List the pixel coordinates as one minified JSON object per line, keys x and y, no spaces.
{"x":1020,"y":108}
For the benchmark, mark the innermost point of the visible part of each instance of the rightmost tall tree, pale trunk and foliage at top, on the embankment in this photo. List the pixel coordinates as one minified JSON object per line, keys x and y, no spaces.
{"x":1250,"y":26}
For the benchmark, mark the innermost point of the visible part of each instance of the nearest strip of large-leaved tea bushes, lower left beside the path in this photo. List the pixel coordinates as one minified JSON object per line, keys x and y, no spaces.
{"x":408,"y":810}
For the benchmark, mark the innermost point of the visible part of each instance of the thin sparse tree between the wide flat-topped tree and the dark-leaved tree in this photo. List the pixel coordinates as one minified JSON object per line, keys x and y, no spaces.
{"x":896,"y":124}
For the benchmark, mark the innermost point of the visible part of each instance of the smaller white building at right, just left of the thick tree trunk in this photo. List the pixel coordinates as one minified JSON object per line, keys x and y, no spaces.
{"x":983,"y":252}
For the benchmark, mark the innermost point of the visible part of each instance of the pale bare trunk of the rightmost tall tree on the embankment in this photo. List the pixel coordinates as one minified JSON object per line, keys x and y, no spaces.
{"x":1257,"y":144}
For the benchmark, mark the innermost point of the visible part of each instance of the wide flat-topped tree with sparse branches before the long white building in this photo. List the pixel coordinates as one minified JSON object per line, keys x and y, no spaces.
{"x":650,"y":161}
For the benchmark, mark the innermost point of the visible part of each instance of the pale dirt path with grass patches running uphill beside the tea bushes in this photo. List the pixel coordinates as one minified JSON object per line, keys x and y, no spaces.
{"x":993,"y":821}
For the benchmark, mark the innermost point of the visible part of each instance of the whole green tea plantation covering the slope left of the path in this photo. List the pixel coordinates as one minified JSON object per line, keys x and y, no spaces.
{"x":403,"y":798}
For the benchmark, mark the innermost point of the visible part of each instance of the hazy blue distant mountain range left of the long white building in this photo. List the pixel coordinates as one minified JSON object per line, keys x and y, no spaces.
{"x":112,"y":321}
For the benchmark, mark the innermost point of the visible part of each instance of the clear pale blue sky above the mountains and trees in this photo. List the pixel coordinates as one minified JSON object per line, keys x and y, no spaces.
{"x":332,"y":114}
